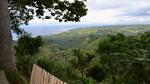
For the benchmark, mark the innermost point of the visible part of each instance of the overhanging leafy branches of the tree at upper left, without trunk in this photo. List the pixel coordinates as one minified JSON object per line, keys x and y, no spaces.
{"x":22,"y":11}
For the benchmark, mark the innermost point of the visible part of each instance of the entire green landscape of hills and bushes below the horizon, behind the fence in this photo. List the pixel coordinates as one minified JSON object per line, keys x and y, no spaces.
{"x":109,"y":55}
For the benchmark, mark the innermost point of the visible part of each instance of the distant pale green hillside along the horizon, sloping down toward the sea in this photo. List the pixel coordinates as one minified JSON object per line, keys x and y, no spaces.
{"x":75,"y":38}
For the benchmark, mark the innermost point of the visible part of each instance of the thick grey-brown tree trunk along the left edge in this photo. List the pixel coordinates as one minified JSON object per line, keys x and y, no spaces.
{"x":7,"y":58}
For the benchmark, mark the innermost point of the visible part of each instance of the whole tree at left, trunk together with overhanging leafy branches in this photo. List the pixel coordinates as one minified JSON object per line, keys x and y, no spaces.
{"x":14,"y":13}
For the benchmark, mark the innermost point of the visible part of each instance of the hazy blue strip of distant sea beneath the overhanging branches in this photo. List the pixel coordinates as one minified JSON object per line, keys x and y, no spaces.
{"x":50,"y":29}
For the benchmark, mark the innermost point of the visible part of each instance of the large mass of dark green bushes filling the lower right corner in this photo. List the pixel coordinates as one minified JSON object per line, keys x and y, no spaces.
{"x":124,"y":58}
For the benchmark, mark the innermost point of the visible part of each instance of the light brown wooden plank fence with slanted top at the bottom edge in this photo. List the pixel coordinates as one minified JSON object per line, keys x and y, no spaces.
{"x":40,"y":76}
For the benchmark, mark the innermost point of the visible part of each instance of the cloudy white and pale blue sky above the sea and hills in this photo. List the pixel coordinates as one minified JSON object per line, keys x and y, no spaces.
{"x":113,"y":12}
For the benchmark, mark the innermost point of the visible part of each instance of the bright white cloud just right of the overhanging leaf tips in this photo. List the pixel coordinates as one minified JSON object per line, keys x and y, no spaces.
{"x":101,"y":17}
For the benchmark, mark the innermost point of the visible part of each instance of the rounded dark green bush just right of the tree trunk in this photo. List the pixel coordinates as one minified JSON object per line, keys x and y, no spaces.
{"x":28,"y":46}
